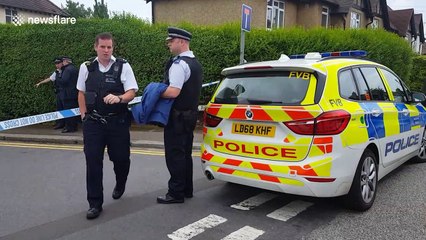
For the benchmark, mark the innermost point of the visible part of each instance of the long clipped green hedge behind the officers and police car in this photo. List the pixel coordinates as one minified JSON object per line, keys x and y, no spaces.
{"x":27,"y":52}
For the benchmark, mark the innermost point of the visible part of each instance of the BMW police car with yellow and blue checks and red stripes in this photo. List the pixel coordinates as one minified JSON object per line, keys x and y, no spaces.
{"x":319,"y":124}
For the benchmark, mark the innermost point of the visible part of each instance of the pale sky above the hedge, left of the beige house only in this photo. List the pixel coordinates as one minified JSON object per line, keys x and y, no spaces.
{"x":136,"y":7}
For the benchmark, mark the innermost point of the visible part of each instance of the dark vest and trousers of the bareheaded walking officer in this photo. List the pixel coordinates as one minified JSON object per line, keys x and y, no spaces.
{"x":105,"y":125}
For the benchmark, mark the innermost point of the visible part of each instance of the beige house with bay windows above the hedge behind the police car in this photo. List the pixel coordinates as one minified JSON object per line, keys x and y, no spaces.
{"x":272,"y":14}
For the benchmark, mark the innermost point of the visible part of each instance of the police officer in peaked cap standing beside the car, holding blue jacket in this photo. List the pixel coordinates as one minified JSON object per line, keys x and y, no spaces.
{"x":184,"y":75}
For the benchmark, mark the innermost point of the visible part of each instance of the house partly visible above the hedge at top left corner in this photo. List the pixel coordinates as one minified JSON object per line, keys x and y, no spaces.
{"x":23,"y":10}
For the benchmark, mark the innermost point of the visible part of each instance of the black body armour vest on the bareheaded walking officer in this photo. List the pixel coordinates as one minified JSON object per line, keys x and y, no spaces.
{"x":103,"y":84}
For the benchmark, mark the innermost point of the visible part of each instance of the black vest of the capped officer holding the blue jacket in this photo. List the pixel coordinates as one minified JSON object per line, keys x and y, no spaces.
{"x":191,"y":89}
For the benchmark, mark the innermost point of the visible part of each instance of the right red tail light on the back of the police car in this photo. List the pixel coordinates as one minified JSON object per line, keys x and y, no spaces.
{"x":328,"y":123}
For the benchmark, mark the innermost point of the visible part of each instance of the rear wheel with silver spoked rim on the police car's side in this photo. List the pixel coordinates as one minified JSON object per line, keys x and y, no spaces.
{"x":364,"y":185}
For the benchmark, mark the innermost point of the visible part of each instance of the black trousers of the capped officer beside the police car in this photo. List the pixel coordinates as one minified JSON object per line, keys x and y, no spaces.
{"x":178,"y":142}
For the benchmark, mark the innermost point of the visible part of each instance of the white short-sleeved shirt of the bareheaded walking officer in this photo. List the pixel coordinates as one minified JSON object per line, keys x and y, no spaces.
{"x":127,"y":77}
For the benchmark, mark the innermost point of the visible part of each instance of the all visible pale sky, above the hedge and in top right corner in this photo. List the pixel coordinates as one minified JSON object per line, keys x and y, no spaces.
{"x":143,"y":10}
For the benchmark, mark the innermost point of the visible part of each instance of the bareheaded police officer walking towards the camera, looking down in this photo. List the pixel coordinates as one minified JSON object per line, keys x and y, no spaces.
{"x":106,"y":84}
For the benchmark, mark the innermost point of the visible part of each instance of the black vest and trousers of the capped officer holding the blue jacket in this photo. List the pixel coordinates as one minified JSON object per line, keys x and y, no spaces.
{"x":178,"y":133}
